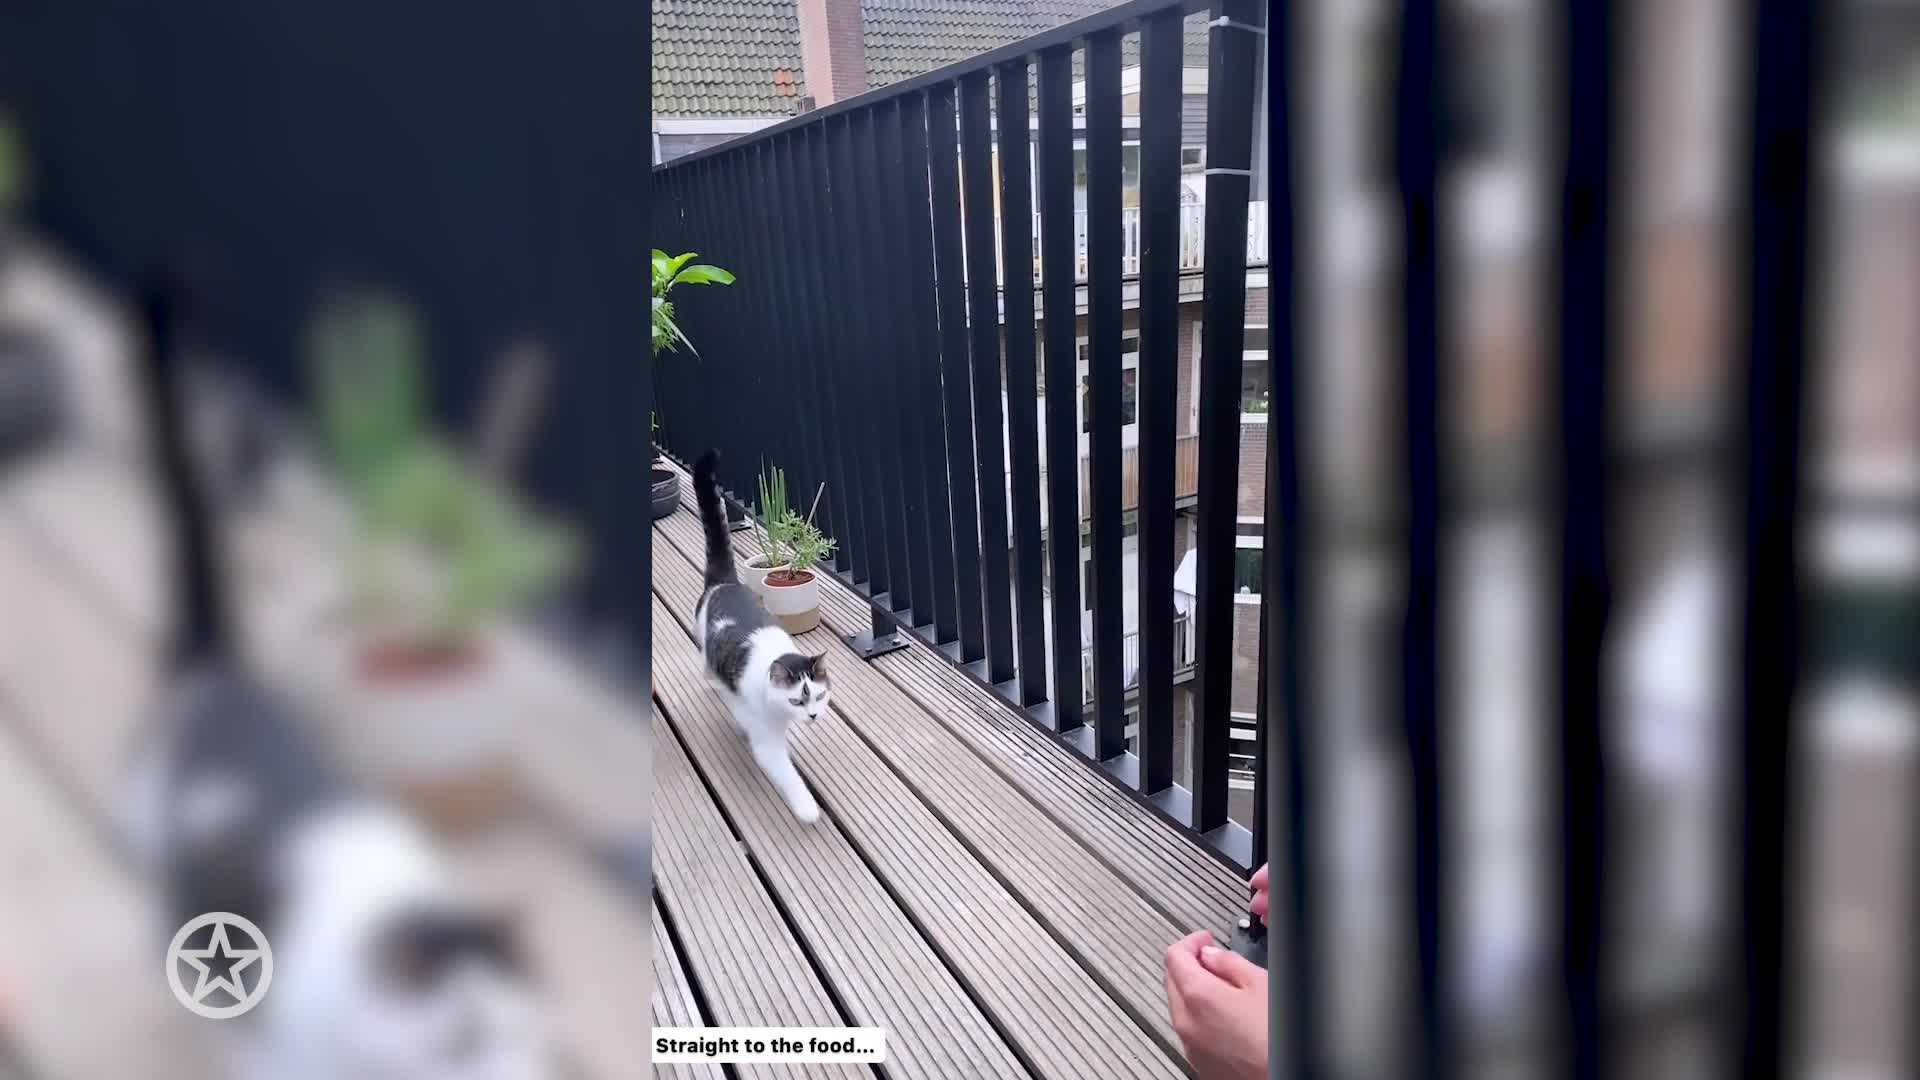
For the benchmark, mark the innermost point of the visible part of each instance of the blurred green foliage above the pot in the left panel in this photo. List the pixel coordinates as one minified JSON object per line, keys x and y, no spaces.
{"x":439,"y":551}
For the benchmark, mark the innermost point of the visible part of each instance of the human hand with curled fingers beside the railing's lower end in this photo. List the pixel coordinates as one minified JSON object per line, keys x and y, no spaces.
{"x":1220,"y":1010}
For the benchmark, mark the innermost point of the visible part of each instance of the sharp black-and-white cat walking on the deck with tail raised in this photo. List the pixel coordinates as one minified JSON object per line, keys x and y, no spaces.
{"x":757,"y":670}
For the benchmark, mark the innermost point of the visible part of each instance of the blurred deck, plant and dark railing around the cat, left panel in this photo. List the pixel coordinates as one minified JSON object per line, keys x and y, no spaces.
{"x":396,"y":239}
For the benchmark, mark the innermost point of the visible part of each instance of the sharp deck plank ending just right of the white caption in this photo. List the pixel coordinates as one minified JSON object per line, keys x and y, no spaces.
{"x":869,"y":950}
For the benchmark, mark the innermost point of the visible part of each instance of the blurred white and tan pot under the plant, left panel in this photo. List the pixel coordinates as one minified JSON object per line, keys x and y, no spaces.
{"x":435,"y":729}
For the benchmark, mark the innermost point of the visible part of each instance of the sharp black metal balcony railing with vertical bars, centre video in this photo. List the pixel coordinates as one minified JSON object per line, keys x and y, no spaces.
{"x":875,"y":326}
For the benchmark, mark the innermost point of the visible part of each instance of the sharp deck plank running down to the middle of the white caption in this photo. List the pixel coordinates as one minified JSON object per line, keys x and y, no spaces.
{"x":738,"y":948}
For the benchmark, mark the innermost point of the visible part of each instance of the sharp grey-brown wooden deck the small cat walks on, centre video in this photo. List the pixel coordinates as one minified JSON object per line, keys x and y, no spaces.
{"x":971,"y":887}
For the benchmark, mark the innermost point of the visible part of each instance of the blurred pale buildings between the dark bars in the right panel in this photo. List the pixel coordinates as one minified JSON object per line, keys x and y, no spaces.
{"x":1679,"y":210}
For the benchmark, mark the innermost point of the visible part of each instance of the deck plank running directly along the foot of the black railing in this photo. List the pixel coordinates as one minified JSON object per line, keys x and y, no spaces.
{"x":1161,"y":864}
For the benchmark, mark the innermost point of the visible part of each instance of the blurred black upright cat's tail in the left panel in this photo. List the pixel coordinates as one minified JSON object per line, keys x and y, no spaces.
{"x":201,"y":618}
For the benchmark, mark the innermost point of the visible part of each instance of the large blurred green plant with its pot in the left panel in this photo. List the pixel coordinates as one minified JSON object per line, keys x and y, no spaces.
{"x":439,"y":558}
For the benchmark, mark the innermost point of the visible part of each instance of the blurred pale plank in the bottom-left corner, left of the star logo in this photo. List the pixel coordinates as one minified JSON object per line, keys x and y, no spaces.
{"x":84,"y":994}
